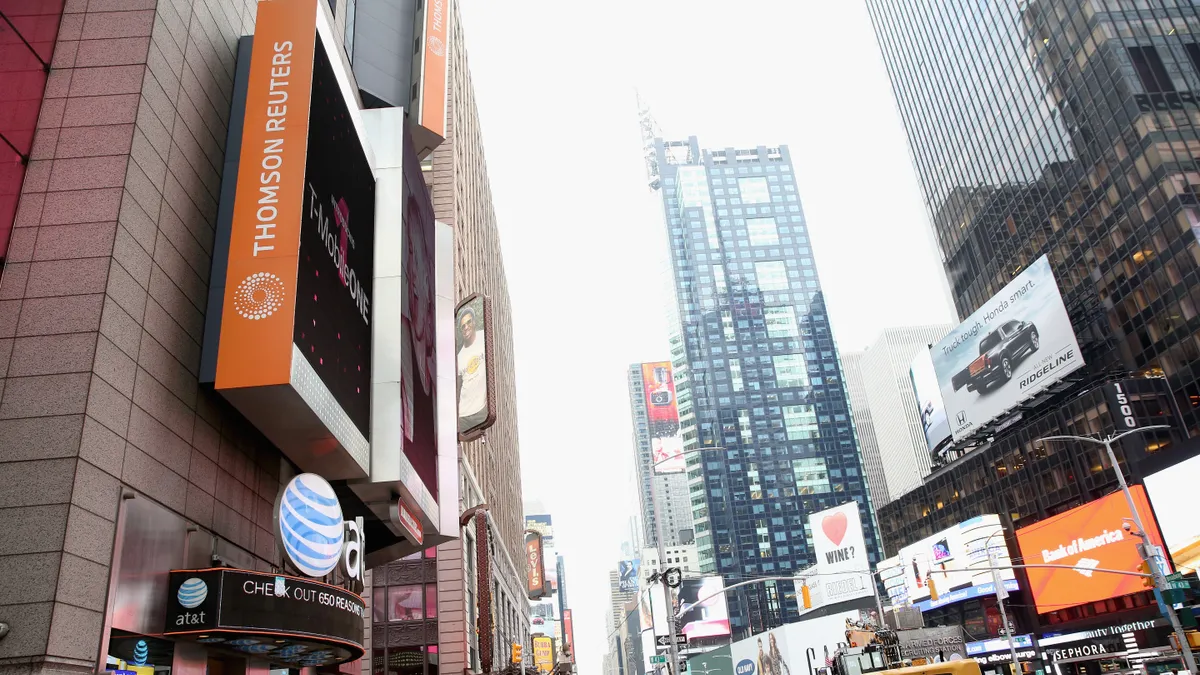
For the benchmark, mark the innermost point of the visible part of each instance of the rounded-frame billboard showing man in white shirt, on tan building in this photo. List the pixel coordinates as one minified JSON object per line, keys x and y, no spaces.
{"x":473,"y":350}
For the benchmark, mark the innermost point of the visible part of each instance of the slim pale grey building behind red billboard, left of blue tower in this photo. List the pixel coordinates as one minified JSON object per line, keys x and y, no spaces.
{"x":671,"y":489}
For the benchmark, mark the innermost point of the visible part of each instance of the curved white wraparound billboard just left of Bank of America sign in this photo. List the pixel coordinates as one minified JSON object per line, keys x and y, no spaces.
{"x":956,"y":559}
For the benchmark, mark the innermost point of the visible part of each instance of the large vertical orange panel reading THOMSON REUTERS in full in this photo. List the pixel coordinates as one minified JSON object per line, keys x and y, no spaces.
{"x":265,"y":247}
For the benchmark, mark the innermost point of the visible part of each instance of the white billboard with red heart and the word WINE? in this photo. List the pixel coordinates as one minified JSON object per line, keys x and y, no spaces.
{"x":843,"y":565}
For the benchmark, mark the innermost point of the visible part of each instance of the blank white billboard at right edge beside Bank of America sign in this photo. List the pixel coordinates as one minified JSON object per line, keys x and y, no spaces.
{"x":1172,"y":494}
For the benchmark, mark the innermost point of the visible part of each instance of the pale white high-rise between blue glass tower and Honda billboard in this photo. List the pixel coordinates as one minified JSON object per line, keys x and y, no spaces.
{"x":893,"y":408}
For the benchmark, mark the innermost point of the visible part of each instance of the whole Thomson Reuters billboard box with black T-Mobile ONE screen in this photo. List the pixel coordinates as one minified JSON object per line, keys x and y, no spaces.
{"x":295,"y":351}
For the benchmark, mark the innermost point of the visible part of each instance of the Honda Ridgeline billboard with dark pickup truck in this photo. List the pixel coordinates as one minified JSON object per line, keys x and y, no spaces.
{"x":1016,"y":345}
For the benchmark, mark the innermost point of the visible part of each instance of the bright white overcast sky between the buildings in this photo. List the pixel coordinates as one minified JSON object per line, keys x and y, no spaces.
{"x":584,"y":238}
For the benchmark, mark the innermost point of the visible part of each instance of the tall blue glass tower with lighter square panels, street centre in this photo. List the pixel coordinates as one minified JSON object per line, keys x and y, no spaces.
{"x":765,"y":381}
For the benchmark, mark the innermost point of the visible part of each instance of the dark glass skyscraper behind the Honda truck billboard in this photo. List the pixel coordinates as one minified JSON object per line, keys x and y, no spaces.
{"x":1070,"y":129}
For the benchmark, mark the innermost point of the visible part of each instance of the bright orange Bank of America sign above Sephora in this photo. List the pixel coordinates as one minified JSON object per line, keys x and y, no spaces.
{"x":1088,"y":539}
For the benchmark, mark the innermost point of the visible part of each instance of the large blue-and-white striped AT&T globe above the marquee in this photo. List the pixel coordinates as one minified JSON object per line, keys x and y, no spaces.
{"x":310,"y":525}
